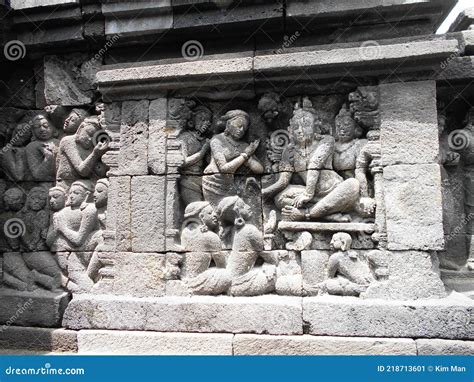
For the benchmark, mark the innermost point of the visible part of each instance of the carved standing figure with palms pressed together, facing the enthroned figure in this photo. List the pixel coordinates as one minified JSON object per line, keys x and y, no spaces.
{"x":228,"y":154}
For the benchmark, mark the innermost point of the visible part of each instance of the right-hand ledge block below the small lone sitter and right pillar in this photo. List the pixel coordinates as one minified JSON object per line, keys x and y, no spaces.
{"x":449,"y":318}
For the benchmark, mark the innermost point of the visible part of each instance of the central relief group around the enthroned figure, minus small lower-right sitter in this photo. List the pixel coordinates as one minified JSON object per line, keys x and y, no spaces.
{"x":312,"y":177}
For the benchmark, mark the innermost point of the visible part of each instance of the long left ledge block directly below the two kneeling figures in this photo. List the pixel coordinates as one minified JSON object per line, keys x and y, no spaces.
{"x":222,"y":314}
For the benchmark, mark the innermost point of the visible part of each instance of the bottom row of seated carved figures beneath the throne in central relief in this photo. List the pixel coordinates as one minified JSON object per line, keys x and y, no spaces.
{"x":249,"y":270}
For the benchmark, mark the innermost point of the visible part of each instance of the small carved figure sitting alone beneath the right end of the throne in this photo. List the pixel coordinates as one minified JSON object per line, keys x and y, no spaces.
{"x":348,"y":273}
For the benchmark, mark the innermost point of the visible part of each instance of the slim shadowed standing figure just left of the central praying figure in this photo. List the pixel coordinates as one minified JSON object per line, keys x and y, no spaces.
{"x":194,"y":147}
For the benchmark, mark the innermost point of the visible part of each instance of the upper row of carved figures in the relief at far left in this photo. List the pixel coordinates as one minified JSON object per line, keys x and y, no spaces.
{"x":35,"y":154}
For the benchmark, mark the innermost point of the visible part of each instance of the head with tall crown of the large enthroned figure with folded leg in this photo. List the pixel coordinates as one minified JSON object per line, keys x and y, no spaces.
{"x":304,"y":124}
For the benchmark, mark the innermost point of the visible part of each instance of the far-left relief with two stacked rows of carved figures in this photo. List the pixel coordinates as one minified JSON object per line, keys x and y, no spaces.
{"x":53,"y":222}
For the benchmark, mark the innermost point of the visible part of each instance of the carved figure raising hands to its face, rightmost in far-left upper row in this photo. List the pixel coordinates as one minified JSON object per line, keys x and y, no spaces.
{"x":79,"y":158}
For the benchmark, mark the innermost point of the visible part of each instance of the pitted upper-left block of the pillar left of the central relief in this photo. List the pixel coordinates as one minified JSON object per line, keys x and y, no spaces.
{"x":134,"y":138}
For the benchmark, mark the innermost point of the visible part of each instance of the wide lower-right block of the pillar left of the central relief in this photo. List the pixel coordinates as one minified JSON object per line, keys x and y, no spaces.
{"x":148,"y":213}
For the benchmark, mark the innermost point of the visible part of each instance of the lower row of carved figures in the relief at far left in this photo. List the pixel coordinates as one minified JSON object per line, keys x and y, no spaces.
{"x":67,"y":223}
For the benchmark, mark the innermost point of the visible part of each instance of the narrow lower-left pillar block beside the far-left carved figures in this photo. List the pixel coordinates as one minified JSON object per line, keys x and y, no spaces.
{"x":119,"y":213}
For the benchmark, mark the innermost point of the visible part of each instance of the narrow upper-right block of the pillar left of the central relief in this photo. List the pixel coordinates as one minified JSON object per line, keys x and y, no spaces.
{"x":157,"y":136}
